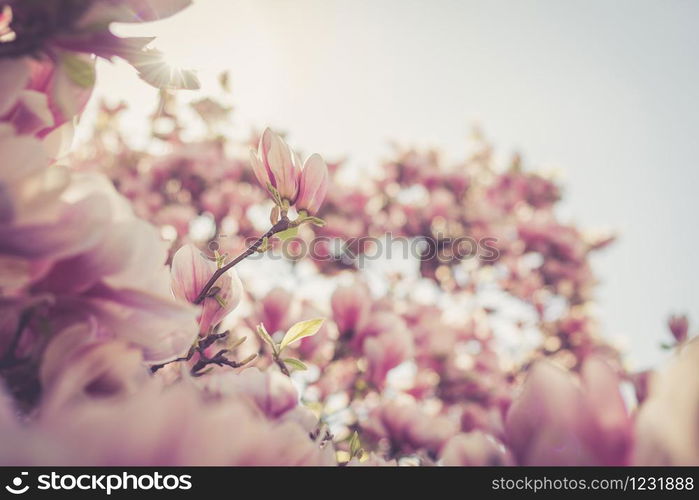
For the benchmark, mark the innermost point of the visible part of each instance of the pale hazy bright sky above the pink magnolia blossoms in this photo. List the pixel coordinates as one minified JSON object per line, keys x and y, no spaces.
{"x":604,"y":96}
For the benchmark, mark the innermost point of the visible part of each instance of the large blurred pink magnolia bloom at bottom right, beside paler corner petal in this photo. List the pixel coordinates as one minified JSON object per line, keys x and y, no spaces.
{"x":560,"y":419}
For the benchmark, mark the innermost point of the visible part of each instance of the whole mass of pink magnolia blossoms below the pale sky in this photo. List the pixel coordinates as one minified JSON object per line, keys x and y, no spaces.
{"x":85,"y":283}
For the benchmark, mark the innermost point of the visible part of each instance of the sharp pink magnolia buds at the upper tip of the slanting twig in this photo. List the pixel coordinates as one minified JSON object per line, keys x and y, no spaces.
{"x":276,"y":165}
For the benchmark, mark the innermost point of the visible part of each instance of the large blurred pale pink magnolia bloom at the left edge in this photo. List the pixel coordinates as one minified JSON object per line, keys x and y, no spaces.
{"x":72,"y":239}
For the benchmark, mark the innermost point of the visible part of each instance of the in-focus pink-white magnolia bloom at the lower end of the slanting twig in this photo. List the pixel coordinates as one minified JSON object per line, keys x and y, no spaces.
{"x":190,"y":272}
